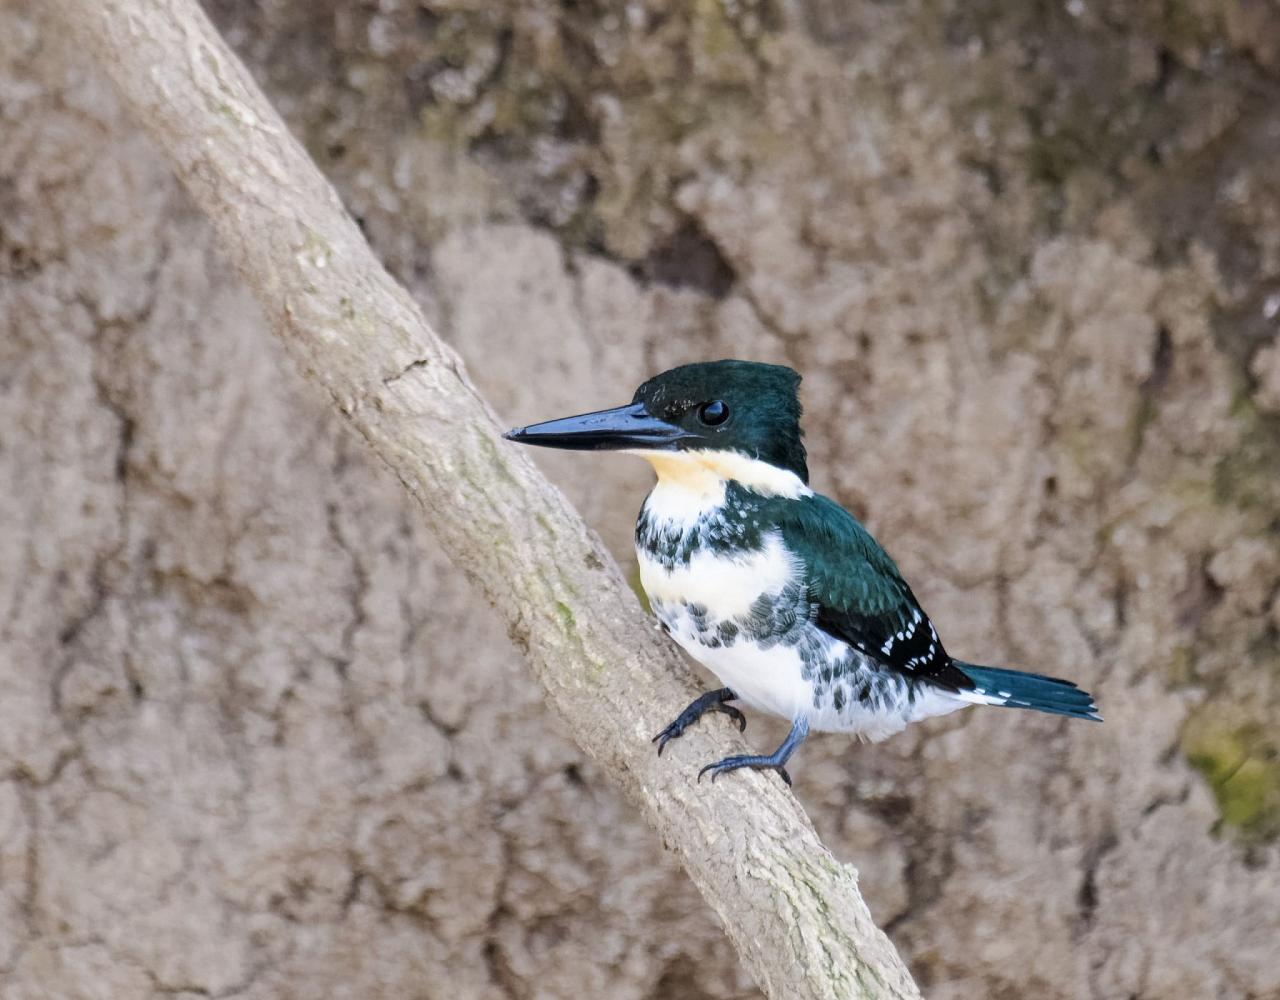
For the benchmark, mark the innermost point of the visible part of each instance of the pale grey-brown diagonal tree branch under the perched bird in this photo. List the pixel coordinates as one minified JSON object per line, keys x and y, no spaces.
{"x":793,"y":912}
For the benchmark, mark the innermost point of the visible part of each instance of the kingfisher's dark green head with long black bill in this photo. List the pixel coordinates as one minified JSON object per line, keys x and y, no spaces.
{"x":714,"y":409}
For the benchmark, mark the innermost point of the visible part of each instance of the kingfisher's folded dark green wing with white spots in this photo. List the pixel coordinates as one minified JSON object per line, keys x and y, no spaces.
{"x":861,"y":596}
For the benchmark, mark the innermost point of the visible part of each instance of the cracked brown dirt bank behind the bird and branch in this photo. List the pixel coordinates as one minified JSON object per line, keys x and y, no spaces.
{"x":258,"y":741}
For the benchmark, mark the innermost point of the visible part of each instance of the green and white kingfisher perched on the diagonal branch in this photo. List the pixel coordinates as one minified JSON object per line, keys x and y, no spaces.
{"x":776,"y":590}
